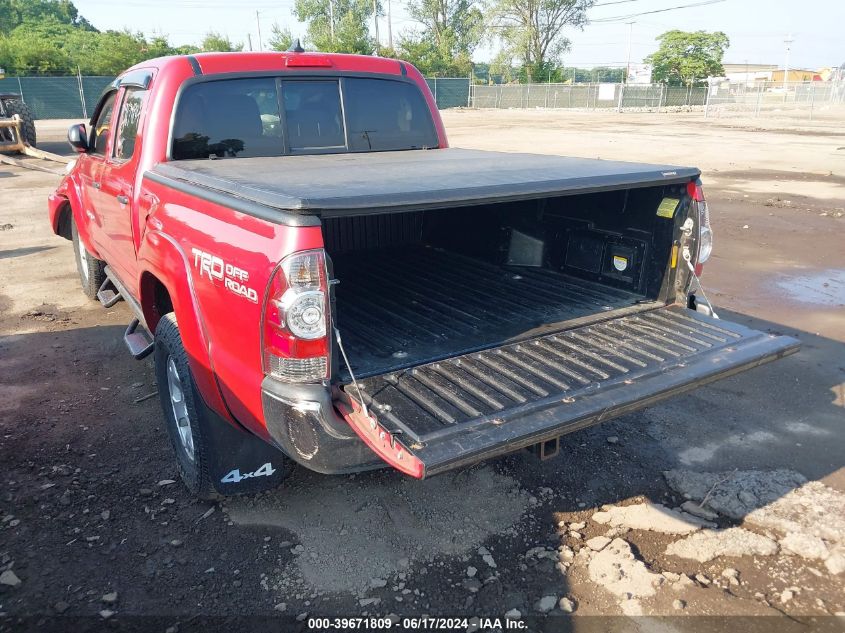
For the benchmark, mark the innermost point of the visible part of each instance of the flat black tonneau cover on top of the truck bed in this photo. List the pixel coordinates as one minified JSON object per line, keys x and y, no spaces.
{"x":330,"y":185}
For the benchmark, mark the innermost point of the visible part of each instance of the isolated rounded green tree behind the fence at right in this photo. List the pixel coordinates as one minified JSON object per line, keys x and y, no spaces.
{"x":688,"y":57}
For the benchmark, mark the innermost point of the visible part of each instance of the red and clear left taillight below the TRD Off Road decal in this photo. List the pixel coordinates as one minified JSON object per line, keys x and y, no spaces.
{"x":295,"y":319}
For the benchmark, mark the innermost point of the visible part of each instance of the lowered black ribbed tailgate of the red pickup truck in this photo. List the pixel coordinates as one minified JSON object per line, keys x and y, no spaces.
{"x":468,"y":408}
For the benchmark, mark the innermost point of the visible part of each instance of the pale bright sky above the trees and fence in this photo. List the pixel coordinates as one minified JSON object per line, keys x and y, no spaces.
{"x":756,"y":28}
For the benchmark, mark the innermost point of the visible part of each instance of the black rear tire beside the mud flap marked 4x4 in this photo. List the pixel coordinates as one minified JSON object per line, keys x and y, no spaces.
{"x":193,"y":464}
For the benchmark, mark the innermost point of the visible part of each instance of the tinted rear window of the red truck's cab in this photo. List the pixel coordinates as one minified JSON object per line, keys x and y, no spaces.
{"x":267,"y":116}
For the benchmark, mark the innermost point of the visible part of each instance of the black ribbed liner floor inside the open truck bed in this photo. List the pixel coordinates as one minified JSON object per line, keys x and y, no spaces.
{"x":398,"y":309}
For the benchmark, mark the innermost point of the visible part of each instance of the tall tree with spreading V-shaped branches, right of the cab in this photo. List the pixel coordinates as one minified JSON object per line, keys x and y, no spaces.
{"x":532,"y":30}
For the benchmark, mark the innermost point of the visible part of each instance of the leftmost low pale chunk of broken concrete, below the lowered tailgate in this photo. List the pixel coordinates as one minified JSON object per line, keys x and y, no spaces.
{"x":616,"y":569}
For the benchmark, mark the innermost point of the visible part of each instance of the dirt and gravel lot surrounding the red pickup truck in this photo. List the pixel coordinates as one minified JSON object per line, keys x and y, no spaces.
{"x":94,"y":525}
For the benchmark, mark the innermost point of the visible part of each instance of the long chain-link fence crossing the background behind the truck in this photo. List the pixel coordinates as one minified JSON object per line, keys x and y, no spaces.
{"x":75,"y":97}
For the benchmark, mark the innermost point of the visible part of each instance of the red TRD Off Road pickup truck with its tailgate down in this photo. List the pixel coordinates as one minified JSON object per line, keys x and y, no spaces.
{"x":322,"y":280}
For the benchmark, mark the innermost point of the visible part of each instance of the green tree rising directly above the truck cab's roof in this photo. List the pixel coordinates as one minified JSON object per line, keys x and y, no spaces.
{"x":350,"y":21}
